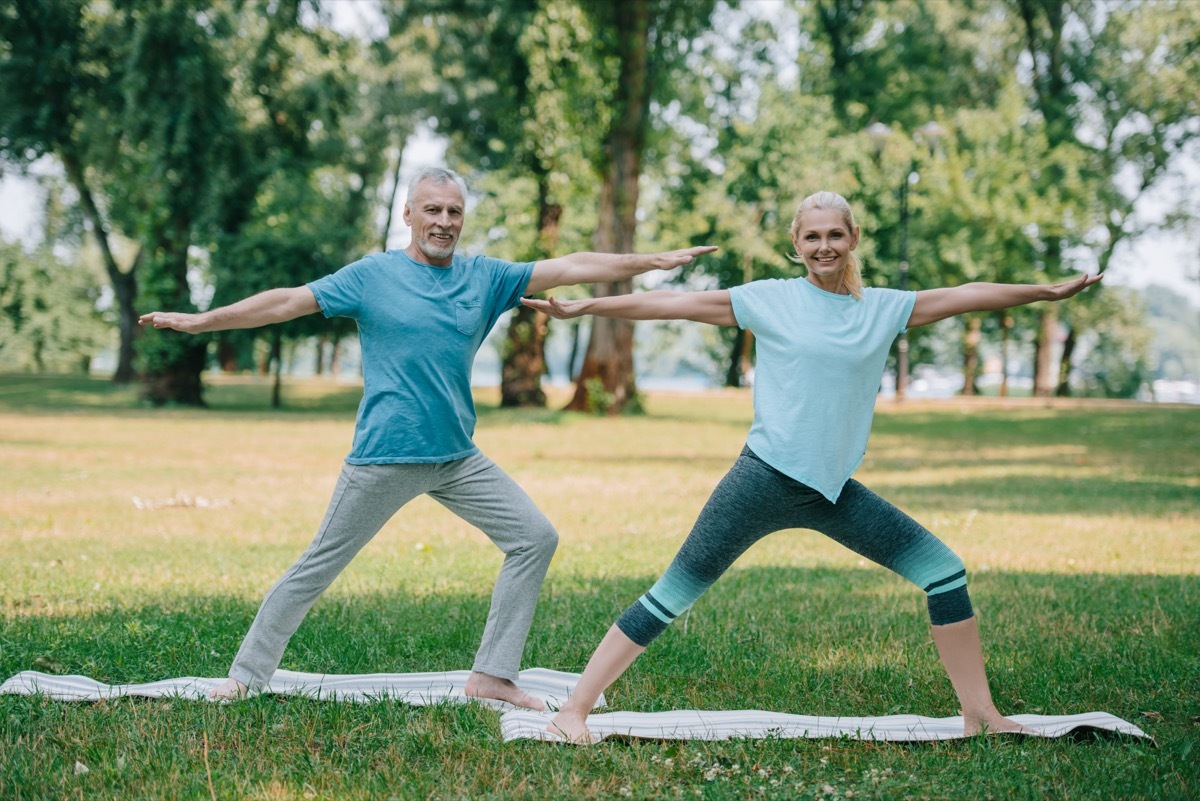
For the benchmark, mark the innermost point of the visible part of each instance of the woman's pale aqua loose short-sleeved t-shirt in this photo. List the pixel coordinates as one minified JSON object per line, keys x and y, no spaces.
{"x":820,"y":360}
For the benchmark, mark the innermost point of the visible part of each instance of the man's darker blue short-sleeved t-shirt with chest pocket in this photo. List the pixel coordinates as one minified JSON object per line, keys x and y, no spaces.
{"x":419,"y":329}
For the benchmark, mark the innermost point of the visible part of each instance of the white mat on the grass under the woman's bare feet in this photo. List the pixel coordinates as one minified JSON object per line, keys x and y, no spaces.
{"x":691,"y":725}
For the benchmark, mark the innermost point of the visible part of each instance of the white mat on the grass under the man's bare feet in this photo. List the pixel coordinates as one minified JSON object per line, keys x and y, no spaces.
{"x":416,"y":689}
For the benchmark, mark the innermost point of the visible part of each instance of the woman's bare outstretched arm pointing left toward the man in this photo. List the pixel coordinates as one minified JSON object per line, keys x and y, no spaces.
{"x":712,"y":306}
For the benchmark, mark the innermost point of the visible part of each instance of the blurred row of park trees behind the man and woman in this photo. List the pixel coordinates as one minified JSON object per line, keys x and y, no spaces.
{"x":196,"y":152}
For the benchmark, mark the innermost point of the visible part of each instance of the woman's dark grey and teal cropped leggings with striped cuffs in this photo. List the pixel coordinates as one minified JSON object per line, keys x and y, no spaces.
{"x":754,"y":501}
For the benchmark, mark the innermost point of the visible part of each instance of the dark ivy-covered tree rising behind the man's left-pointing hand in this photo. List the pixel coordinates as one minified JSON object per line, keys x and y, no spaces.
{"x":167,"y":171}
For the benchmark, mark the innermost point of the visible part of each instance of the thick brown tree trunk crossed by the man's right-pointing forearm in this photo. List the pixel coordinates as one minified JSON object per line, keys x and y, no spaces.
{"x":607,"y":381}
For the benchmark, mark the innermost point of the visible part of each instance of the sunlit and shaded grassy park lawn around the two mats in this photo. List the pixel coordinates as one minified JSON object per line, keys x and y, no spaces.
{"x":1079,"y":523}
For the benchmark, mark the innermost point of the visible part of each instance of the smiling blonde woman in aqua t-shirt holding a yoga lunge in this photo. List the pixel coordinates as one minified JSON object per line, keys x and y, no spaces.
{"x":823,"y":342}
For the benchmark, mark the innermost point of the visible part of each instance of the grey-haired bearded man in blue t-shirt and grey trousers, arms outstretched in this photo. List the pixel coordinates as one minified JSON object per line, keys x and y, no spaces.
{"x":423,"y":314}
